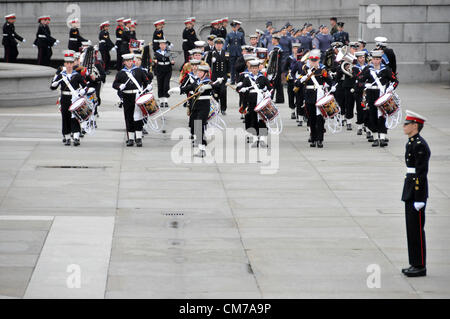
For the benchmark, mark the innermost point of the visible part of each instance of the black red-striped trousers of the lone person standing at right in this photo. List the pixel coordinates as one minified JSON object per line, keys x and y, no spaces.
{"x":415,"y":223}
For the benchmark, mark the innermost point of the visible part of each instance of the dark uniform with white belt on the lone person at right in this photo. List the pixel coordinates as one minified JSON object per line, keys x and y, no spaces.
{"x":415,"y":189}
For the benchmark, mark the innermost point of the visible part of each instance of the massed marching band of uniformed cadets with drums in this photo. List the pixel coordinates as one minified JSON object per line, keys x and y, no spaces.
{"x":325,"y":73}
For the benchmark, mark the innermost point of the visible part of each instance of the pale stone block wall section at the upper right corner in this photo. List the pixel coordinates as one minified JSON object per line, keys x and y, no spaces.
{"x":419,"y":33}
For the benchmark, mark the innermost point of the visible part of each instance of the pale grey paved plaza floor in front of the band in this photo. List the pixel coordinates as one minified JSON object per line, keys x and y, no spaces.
{"x":106,"y":221}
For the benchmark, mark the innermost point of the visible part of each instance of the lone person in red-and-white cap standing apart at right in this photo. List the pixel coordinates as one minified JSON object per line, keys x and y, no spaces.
{"x":415,"y":193}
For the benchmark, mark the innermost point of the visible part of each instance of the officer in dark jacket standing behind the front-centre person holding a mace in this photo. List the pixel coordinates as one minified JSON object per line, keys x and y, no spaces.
{"x":220,"y":68}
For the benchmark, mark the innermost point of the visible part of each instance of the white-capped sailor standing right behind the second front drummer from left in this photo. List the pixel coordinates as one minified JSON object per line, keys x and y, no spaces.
{"x":163,"y":71}
